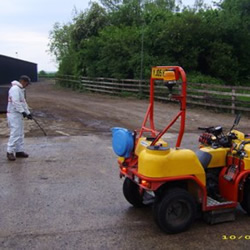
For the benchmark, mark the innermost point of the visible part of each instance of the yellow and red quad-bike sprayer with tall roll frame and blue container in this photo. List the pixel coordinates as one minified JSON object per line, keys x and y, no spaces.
{"x":180,"y":183}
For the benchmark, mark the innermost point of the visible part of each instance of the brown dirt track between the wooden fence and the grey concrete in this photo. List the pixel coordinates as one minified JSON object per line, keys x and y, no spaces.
{"x":66,"y":111}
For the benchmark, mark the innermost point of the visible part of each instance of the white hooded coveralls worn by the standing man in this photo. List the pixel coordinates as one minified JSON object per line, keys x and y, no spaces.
{"x":16,"y":106}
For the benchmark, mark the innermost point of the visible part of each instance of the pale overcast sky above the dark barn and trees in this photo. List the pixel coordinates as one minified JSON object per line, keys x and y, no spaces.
{"x":25,"y":26}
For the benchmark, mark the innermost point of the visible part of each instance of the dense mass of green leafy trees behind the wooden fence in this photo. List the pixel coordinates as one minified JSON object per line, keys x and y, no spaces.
{"x":124,"y":38}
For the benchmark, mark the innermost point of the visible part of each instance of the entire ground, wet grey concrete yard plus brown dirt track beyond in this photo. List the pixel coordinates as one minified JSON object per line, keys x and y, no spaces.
{"x":68,"y":195}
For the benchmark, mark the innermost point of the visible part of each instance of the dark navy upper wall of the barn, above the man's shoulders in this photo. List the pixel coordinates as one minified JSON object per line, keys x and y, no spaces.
{"x":12,"y":68}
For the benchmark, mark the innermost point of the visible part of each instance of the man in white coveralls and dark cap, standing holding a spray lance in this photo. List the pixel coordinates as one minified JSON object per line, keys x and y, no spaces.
{"x":17,"y":109}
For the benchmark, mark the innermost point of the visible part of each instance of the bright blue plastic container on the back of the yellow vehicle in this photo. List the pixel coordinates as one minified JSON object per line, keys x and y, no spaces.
{"x":122,"y":141}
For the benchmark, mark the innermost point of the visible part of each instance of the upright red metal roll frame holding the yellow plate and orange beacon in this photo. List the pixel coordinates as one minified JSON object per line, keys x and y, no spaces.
{"x":179,"y":72}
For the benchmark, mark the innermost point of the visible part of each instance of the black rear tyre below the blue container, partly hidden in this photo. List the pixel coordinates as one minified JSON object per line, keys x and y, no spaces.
{"x":132,"y":194}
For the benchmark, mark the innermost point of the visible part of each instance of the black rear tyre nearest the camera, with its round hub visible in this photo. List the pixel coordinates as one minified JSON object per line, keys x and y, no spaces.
{"x":176,"y":211}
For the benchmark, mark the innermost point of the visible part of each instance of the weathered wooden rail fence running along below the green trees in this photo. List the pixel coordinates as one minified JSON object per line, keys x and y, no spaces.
{"x":230,"y":98}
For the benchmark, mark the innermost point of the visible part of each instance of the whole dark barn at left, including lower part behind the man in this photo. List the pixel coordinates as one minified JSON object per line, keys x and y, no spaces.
{"x":11,"y":69}
